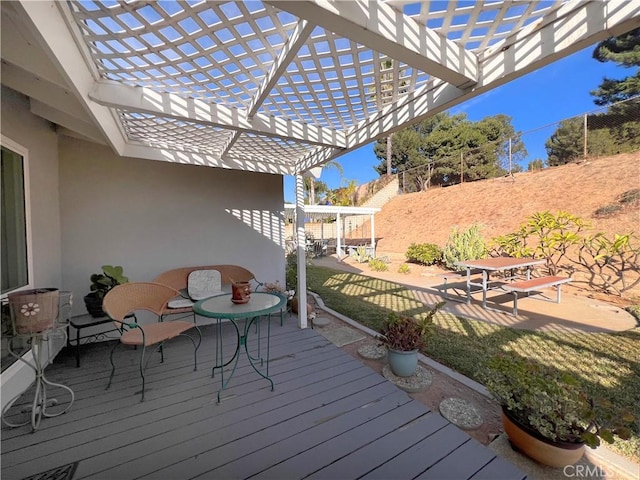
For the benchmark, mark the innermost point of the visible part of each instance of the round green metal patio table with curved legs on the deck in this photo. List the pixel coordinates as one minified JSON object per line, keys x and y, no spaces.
{"x":222,"y":308}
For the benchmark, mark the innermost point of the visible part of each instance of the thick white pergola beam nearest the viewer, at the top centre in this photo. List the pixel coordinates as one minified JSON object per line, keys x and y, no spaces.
{"x":386,"y":30}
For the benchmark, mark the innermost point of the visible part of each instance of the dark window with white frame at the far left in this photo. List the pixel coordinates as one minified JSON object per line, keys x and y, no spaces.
{"x":15,"y":259}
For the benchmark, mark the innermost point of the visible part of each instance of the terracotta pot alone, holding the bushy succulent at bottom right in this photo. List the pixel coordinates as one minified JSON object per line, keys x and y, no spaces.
{"x":539,"y":448}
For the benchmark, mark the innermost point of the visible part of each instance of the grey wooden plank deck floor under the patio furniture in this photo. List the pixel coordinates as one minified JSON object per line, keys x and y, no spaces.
{"x":329,"y":416}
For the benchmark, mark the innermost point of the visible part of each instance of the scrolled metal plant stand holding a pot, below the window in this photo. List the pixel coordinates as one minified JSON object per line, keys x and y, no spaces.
{"x":41,"y":406}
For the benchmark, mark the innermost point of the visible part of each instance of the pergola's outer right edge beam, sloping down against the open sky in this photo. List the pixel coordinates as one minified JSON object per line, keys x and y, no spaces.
{"x":577,"y":26}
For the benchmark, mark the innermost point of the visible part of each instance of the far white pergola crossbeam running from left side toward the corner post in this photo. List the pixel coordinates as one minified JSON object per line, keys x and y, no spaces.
{"x":141,"y":99}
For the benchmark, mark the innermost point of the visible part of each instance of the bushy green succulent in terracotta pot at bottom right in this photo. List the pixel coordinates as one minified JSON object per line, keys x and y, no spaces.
{"x":546,"y":414}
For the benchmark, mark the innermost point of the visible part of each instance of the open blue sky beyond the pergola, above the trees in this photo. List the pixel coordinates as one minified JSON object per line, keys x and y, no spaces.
{"x":553,"y":93}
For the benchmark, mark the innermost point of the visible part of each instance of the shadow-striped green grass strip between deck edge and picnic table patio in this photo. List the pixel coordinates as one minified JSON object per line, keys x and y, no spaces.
{"x":606,"y":364}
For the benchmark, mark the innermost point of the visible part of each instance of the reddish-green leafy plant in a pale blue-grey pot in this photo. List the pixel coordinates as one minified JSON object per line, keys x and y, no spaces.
{"x":404,"y":337}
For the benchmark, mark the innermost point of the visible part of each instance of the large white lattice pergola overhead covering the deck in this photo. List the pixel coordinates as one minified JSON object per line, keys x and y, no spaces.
{"x":277,"y":87}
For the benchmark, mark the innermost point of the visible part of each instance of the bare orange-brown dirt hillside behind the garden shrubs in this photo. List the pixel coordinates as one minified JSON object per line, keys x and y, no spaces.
{"x":502,"y":204}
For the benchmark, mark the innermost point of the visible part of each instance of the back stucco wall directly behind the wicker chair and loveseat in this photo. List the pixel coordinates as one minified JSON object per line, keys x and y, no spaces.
{"x":150,"y":216}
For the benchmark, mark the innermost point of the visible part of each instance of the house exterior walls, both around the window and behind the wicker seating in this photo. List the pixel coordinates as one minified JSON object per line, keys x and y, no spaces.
{"x":90,"y":207}
